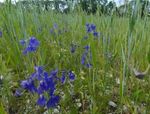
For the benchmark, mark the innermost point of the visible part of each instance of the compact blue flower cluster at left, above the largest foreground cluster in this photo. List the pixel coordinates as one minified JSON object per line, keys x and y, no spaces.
{"x":31,"y":45}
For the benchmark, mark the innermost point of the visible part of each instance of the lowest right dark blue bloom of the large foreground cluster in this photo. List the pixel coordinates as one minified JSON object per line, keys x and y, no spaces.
{"x":53,"y":101}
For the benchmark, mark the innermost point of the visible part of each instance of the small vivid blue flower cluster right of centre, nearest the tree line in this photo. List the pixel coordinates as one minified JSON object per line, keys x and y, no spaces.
{"x":91,"y":28}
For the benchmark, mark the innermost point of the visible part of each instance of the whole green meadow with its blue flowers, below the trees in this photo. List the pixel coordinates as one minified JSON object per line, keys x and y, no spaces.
{"x":91,"y":62}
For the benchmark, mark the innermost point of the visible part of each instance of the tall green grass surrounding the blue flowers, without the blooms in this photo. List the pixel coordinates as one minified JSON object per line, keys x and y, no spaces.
{"x":122,"y":42}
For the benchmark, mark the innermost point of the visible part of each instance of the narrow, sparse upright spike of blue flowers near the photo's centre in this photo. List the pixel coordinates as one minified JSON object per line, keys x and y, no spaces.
{"x":86,"y":58}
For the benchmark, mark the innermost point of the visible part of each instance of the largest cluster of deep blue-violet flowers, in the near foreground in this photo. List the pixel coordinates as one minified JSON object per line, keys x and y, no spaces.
{"x":44,"y":84}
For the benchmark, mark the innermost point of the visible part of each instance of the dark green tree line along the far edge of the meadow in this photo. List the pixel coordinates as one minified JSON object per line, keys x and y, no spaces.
{"x":103,"y":7}
